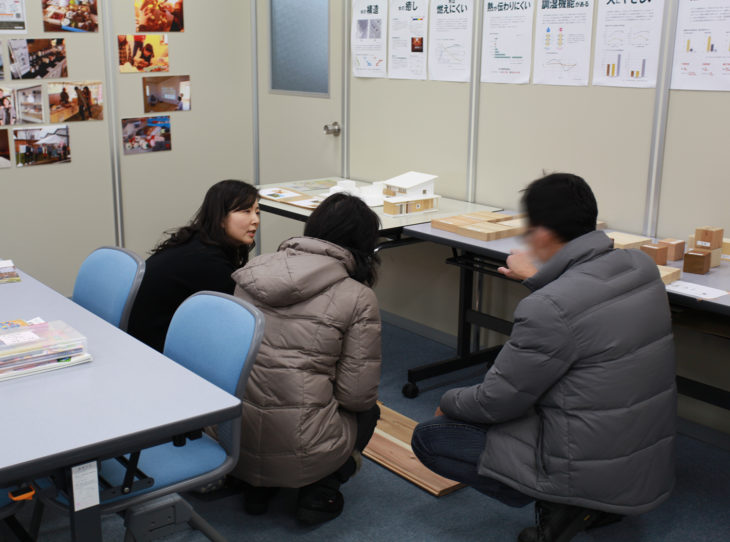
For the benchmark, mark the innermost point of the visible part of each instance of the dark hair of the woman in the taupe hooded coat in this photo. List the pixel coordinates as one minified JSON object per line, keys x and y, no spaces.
{"x":347,"y":221}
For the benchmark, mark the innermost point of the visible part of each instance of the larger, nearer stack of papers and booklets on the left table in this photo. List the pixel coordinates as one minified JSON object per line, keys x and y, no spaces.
{"x":38,"y":348}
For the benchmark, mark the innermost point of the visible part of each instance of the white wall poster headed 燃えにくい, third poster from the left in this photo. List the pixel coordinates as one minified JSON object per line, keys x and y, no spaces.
{"x":451,"y":29}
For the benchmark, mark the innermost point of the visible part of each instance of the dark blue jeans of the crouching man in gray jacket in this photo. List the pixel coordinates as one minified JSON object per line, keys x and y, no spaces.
{"x":452,"y":448}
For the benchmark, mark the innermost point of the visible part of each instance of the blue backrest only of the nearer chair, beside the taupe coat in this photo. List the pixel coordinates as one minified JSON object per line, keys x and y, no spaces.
{"x":216,"y":336}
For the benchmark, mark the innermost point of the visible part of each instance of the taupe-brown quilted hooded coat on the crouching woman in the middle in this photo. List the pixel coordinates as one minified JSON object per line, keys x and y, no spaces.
{"x":319,"y":362}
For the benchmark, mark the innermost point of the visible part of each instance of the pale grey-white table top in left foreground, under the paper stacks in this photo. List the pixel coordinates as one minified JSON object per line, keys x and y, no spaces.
{"x":129,"y":397}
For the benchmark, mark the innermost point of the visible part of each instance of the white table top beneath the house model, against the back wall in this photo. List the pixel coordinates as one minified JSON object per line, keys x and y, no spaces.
{"x":447,"y":206}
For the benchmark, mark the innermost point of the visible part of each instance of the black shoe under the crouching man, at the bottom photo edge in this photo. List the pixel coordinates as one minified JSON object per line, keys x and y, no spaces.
{"x":558,"y":522}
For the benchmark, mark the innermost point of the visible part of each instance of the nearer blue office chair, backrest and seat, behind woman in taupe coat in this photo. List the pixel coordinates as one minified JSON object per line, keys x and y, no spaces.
{"x":216,"y":336}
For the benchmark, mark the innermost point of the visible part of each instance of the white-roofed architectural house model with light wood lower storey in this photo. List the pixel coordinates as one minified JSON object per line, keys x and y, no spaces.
{"x":410,"y":193}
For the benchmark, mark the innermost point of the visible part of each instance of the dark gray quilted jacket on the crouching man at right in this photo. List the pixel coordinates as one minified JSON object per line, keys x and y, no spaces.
{"x":582,"y":396}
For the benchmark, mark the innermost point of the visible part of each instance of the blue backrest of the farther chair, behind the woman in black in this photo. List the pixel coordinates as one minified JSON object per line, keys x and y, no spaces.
{"x":107,"y":284}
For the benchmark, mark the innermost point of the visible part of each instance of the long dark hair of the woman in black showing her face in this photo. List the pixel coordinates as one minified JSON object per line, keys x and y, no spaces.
{"x":207,"y":224}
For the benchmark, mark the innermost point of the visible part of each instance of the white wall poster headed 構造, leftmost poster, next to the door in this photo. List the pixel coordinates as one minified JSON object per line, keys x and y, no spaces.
{"x":368,"y":38}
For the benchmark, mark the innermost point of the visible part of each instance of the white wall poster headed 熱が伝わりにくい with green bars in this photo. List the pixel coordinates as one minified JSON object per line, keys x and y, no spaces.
{"x":507,"y":43}
